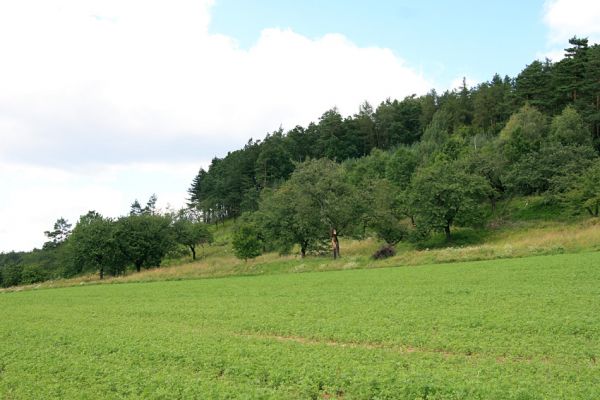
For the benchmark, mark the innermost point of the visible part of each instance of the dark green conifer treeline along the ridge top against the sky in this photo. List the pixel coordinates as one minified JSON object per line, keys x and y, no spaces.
{"x":232,"y":185}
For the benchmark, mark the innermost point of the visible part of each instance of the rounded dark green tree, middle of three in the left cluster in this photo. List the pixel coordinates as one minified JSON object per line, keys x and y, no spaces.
{"x":144,"y":240}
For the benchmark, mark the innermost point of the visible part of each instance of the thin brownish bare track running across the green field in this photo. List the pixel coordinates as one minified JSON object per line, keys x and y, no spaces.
{"x":391,"y":348}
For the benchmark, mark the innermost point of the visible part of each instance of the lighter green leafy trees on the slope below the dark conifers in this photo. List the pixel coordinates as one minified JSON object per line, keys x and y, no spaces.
{"x":442,"y":181}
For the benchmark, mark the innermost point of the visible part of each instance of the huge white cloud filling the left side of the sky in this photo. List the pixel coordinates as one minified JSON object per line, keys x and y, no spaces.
{"x":90,"y":84}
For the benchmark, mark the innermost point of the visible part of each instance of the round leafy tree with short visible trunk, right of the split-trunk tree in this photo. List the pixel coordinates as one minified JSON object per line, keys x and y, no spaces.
{"x":443,"y":195}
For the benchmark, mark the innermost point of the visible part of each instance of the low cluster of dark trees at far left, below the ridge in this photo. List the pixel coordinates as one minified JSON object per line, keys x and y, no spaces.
{"x":107,"y":246}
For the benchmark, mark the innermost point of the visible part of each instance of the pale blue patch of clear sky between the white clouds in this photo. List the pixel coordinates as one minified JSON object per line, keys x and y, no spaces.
{"x":444,"y":39}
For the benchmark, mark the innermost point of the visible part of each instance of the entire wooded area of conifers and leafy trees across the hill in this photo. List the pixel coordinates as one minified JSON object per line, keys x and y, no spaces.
{"x":399,"y":171}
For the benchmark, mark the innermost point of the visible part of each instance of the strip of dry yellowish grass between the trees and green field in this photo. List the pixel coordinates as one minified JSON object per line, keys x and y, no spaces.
{"x":524,"y":227}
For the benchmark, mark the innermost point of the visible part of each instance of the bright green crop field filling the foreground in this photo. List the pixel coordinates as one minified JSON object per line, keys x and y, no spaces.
{"x":525,"y":328}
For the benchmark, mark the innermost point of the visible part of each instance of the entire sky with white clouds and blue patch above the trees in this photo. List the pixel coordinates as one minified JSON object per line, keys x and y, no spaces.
{"x":106,"y":101}
